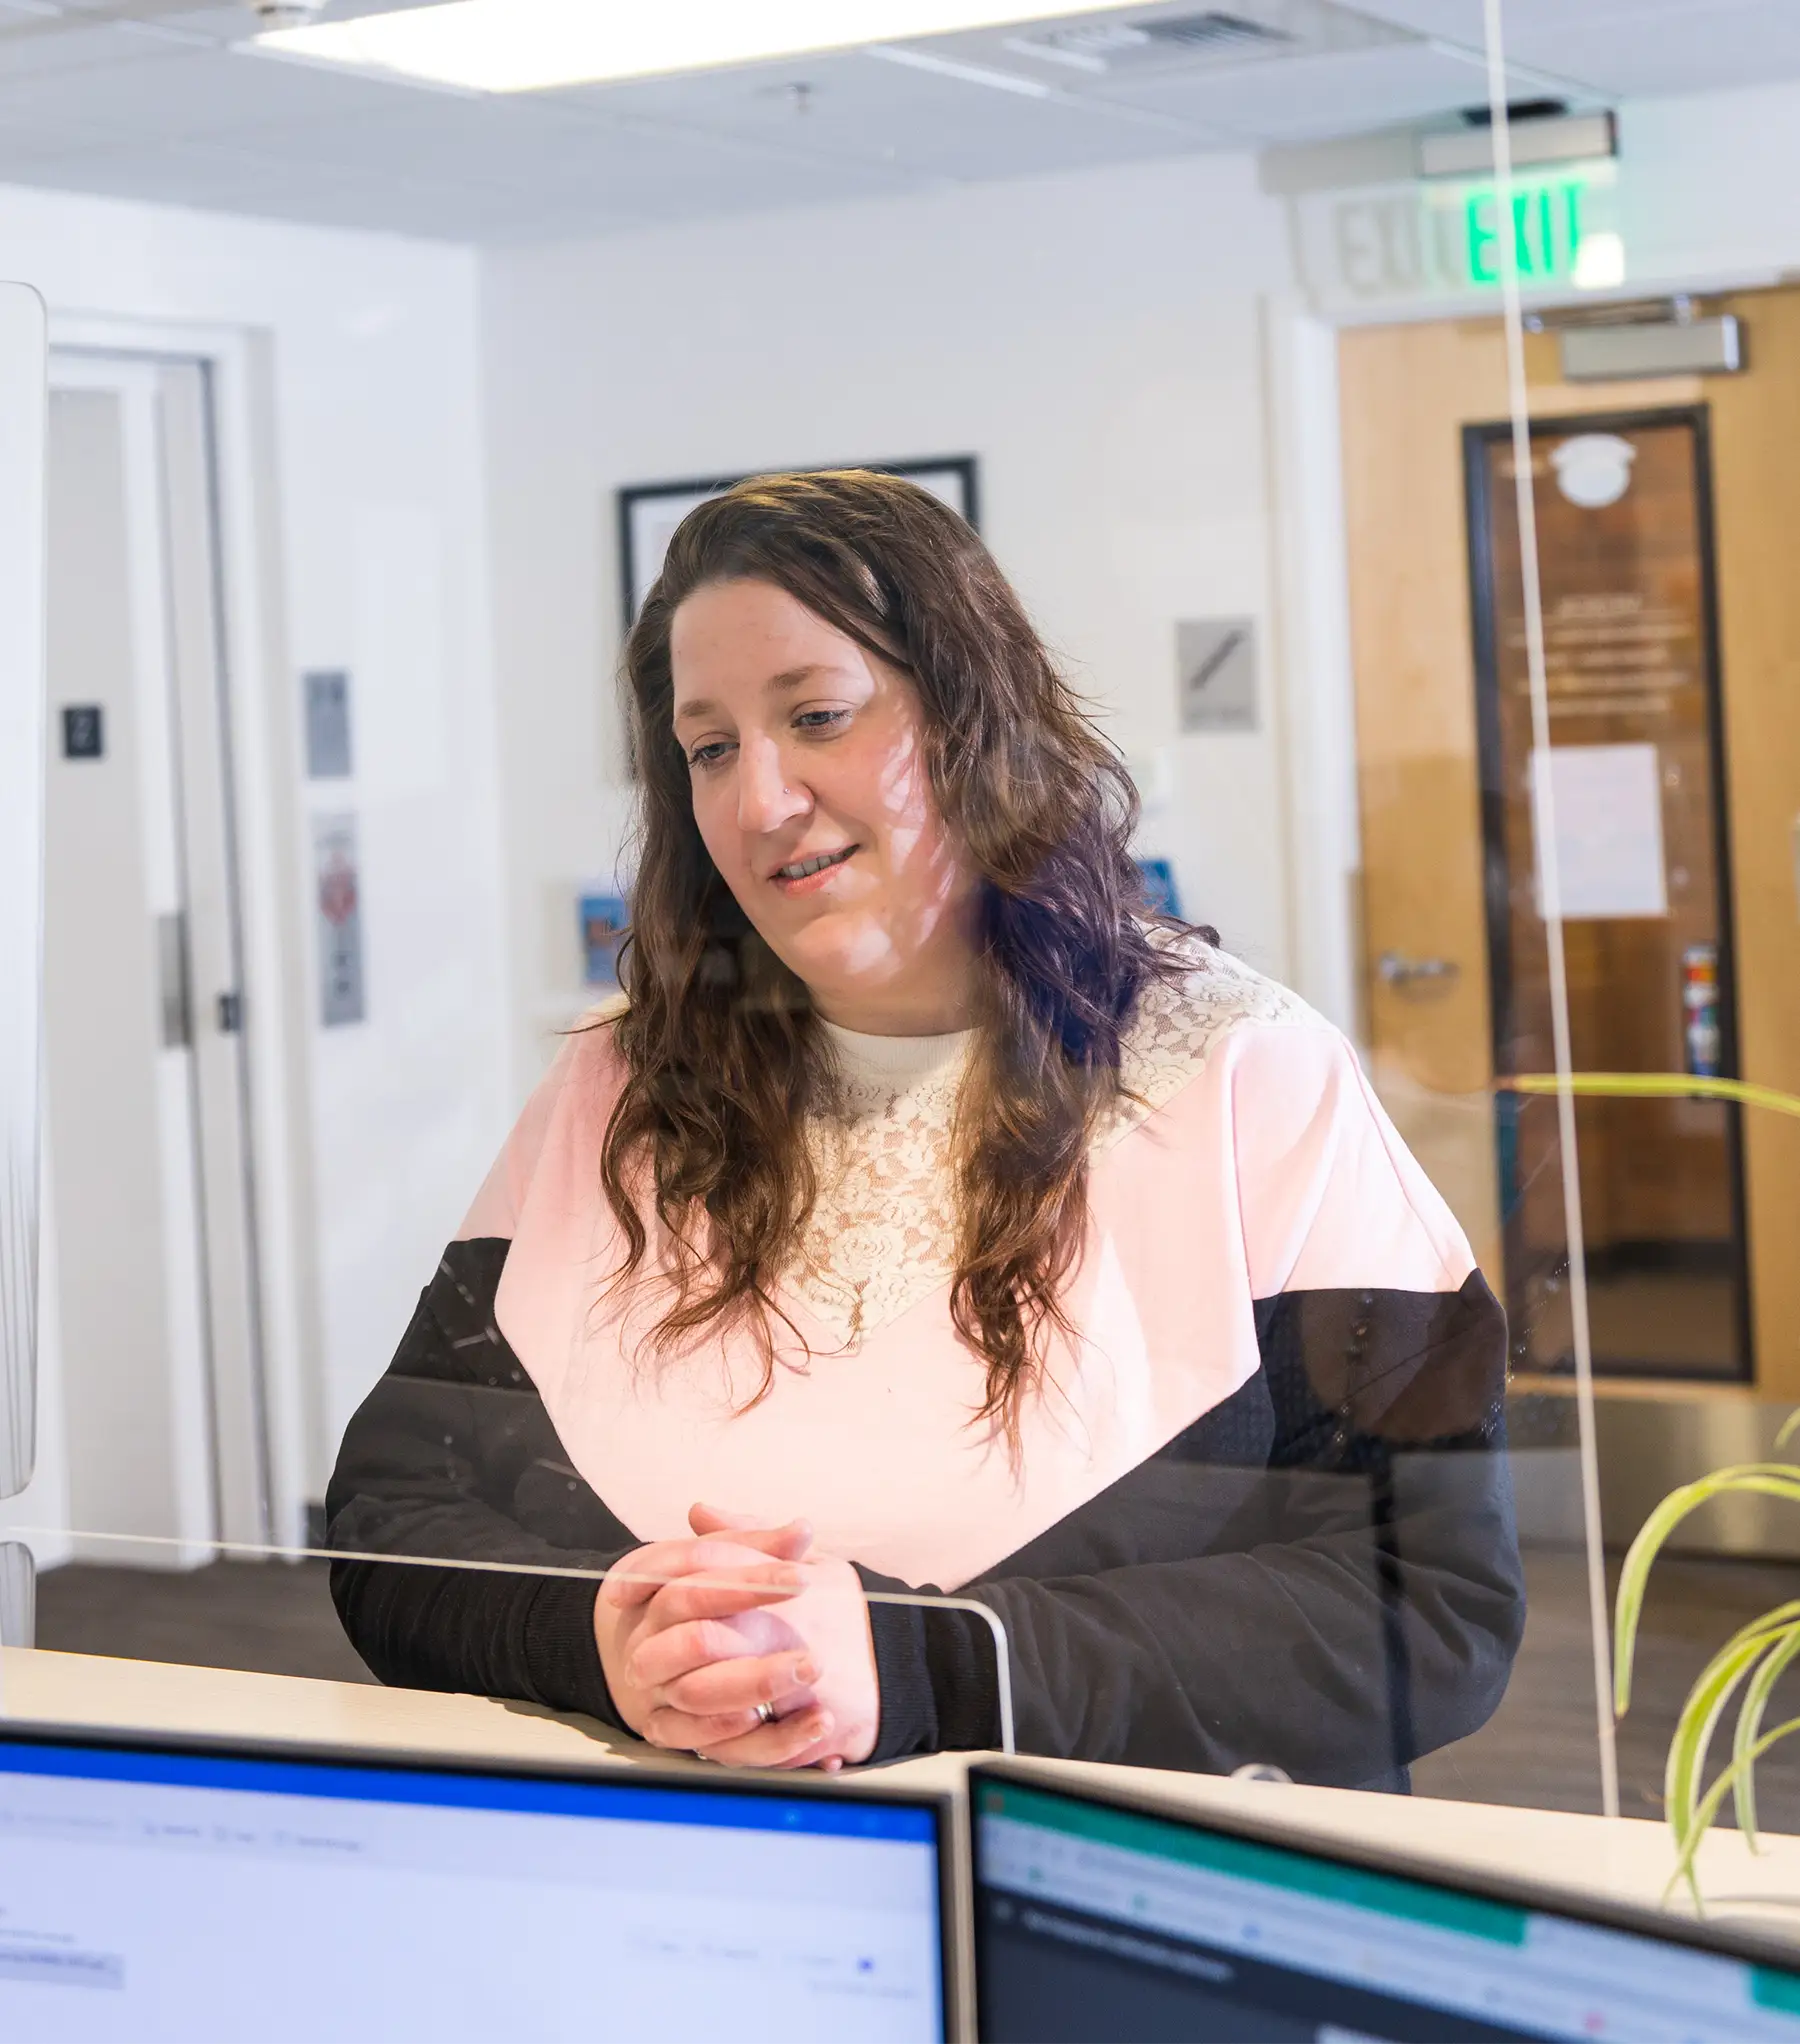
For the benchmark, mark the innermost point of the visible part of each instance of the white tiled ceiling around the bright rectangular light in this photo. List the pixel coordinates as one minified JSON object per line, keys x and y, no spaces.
{"x":156,"y":113}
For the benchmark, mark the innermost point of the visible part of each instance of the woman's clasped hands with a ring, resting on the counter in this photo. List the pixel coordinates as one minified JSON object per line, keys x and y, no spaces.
{"x":741,"y":1646}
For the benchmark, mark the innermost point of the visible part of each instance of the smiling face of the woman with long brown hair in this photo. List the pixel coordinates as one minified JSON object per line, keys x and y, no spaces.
{"x":808,"y":770}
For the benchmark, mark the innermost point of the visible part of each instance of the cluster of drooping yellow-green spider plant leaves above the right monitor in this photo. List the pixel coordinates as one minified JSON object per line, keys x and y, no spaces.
{"x":1752,"y":1661}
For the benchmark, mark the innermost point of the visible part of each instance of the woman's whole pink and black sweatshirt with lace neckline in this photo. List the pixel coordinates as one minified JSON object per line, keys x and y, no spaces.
{"x":1258,"y":1512}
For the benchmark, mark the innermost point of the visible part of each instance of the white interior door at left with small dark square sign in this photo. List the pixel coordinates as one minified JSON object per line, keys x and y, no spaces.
{"x":156,"y":1297}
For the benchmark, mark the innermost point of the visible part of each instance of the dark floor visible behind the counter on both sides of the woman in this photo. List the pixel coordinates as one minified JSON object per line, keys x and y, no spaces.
{"x":1540,"y":1749}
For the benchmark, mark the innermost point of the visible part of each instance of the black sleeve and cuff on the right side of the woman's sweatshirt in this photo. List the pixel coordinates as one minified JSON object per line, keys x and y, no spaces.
{"x":1323,"y":1575}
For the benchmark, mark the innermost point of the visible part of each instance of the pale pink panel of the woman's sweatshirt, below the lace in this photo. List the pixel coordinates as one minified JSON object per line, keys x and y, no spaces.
{"x":1270,"y":1170}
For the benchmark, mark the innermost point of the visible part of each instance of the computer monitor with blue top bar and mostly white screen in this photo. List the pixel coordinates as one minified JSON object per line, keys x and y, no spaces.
{"x":183,"y":1892}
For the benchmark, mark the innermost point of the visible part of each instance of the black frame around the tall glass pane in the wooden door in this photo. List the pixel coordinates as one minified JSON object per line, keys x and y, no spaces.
{"x":1484,"y":606}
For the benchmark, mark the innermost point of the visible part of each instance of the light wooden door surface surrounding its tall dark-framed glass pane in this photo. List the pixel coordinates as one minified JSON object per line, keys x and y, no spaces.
{"x":1407,"y":398}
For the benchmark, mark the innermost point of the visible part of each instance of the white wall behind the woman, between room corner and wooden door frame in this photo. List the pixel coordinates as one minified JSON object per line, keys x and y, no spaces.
{"x":1092,"y":338}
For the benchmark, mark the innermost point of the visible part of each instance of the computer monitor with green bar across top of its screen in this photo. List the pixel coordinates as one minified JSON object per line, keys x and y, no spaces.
{"x":1102,"y":1920}
